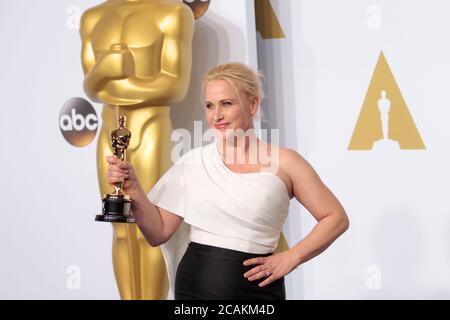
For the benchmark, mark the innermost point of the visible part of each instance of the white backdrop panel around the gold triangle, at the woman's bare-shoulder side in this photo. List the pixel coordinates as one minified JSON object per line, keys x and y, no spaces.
{"x":398,"y":244}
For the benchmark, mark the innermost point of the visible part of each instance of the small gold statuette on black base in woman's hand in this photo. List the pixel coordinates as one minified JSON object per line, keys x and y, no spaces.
{"x":116,"y":206}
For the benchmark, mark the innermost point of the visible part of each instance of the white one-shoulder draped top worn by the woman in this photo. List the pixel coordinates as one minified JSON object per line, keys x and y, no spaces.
{"x":239,"y":211}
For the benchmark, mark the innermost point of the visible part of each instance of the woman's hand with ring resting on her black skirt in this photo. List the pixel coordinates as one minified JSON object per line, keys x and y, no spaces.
{"x":271,"y":268}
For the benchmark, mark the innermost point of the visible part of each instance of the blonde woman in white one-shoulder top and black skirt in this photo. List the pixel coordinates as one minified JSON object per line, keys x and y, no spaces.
{"x":235,"y":209}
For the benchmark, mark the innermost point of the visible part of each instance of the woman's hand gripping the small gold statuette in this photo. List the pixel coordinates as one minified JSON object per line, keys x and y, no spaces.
{"x":119,"y":171}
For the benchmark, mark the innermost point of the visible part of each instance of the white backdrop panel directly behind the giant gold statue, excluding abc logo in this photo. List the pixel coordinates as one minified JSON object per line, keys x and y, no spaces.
{"x":50,"y":245}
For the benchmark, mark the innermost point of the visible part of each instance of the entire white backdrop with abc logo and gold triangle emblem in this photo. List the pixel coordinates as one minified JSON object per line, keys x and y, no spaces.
{"x":358,"y":87}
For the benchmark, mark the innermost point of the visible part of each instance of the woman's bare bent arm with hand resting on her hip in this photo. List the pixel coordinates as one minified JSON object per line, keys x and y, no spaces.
{"x":314,"y":195}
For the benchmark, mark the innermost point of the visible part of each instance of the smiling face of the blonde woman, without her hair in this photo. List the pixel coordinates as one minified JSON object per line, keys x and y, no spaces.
{"x":226,"y":109}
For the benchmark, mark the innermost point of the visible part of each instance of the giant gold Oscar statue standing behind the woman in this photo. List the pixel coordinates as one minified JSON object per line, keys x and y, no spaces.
{"x":136,"y":57}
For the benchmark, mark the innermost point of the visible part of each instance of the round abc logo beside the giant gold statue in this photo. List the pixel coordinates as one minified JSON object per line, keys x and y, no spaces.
{"x":78,"y":122}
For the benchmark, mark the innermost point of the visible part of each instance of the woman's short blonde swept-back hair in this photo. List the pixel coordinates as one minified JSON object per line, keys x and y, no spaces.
{"x":240,"y":75}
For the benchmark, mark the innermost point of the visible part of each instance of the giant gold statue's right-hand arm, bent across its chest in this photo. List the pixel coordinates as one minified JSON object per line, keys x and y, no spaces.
{"x":170,"y":85}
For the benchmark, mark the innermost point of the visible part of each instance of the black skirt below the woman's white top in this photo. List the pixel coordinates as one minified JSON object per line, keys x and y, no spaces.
{"x":212,"y":273}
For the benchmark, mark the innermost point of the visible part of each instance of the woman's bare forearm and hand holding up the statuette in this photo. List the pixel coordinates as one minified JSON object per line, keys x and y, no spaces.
{"x":157,"y":224}
